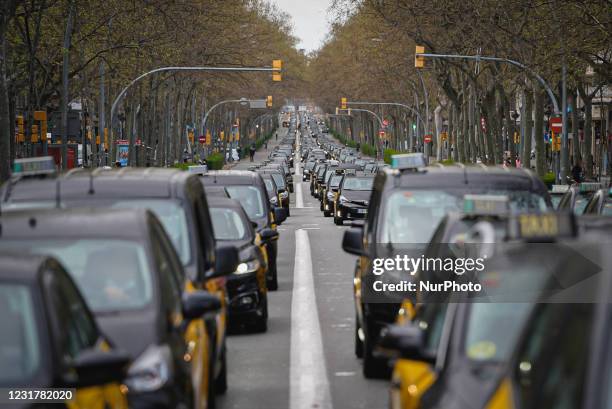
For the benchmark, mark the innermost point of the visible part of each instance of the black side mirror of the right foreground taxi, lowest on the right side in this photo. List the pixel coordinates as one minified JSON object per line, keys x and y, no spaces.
{"x":404,"y":341}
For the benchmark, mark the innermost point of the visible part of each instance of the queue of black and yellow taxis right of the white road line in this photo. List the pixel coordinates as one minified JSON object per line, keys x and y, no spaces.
{"x":541,"y":335}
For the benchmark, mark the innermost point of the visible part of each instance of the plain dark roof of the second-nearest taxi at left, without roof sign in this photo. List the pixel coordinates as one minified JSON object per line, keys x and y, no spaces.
{"x":92,"y":223}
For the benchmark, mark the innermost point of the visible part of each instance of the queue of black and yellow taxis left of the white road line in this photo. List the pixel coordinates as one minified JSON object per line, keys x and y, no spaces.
{"x":133,"y":278}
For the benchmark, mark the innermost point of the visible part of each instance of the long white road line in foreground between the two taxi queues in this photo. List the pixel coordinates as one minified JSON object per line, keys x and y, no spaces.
{"x":309,"y":386}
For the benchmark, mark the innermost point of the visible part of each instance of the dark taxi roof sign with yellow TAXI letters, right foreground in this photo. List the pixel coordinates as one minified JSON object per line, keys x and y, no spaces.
{"x":542,"y":226}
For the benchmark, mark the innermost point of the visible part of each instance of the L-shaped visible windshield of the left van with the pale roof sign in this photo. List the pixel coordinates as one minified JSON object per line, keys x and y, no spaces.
{"x":173,"y":218}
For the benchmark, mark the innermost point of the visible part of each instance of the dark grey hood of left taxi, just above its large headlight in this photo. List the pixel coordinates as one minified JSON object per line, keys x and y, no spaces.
{"x":131,"y":332}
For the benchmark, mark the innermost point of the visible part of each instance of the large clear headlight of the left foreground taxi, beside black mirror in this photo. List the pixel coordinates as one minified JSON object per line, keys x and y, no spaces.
{"x":151,"y":370}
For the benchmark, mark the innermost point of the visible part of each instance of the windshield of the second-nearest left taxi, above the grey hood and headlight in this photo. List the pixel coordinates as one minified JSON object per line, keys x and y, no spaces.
{"x":112,"y":275}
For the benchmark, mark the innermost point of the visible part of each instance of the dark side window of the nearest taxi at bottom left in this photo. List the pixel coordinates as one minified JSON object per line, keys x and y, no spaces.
{"x":77,"y":330}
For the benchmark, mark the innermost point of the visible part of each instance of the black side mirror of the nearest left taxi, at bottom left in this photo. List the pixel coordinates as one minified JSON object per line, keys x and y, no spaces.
{"x":96,"y":367}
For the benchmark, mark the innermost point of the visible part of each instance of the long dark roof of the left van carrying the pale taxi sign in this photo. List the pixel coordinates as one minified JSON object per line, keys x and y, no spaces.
{"x":130,"y":182}
